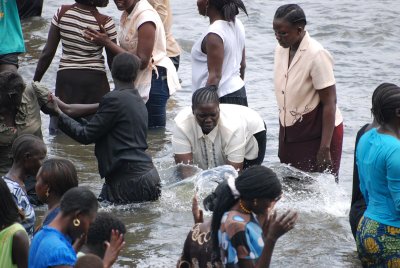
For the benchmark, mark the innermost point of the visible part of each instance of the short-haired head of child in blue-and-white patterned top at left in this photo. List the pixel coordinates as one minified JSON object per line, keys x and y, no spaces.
{"x":28,"y":151}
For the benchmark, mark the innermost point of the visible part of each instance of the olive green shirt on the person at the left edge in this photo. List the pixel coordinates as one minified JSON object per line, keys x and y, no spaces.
{"x":27,"y":121}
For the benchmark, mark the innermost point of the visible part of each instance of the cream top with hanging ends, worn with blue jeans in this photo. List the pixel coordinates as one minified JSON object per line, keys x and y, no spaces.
{"x":128,"y":39}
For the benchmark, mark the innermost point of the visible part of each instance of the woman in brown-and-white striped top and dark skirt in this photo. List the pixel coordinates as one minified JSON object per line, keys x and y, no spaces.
{"x":81,"y":76}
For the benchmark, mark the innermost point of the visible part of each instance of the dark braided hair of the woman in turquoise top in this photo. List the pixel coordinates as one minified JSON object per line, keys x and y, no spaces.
{"x":385,"y":101}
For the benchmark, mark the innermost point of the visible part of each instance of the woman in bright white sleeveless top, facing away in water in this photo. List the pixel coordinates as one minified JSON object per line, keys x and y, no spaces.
{"x":218,"y":57}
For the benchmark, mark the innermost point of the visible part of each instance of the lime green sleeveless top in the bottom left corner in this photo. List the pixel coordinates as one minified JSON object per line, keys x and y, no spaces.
{"x":6,"y":241}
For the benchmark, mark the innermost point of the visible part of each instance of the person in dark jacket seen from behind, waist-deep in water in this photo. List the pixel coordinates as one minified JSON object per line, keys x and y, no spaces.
{"x":119,"y":131}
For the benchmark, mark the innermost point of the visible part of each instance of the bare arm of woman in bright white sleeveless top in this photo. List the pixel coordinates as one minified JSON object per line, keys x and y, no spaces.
{"x":215,"y":57}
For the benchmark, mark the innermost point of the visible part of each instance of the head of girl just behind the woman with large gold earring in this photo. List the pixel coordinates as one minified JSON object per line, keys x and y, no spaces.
{"x":55,"y":177}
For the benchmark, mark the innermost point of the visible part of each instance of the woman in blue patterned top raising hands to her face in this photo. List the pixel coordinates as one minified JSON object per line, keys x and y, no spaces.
{"x":244,"y":229}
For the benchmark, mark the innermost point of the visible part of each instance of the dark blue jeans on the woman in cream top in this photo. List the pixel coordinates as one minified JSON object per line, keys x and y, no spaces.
{"x":158,"y":97}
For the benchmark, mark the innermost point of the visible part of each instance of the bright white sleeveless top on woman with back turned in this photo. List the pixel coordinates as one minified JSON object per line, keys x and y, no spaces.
{"x":233,"y":37}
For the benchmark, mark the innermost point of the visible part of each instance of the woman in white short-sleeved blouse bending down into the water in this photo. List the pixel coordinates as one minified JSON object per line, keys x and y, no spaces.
{"x":210,"y":134}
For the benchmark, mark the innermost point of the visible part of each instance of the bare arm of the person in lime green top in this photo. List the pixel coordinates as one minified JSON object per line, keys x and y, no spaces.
{"x":20,"y":249}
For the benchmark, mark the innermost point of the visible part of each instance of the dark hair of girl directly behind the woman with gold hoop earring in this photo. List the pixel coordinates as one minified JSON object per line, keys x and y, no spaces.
{"x":60,"y":175}
